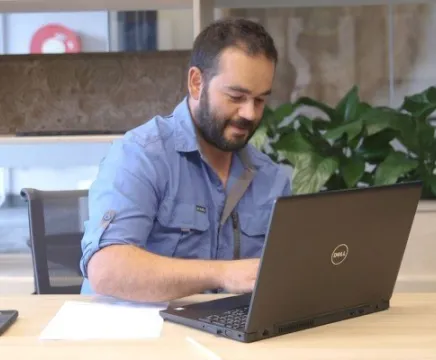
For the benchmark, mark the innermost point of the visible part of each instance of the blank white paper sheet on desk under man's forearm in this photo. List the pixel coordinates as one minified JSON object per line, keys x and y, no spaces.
{"x":105,"y":318}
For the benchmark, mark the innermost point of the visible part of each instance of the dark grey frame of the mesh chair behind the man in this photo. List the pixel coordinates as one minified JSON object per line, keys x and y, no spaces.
{"x":35,"y":199}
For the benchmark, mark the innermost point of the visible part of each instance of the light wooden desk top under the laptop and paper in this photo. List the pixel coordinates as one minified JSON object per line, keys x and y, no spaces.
{"x":406,"y":331}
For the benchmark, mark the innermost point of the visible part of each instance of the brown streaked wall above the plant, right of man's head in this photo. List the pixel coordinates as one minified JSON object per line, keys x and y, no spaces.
{"x":387,"y":51}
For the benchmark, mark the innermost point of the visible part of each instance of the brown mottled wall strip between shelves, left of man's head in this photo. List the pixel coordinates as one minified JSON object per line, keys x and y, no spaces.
{"x":89,"y":92}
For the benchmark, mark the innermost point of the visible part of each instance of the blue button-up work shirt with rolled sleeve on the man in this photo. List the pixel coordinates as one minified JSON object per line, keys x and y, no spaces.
{"x":155,"y":191}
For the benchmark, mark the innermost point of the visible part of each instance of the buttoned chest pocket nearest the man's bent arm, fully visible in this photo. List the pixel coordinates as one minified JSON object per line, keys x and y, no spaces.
{"x":181,"y":230}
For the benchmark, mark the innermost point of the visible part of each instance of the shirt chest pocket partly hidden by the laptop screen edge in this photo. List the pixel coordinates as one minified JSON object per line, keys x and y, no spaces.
{"x":254,"y":226}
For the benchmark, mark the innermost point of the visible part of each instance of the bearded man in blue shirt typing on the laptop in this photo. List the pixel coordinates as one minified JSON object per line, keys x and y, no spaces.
{"x":155,"y":231}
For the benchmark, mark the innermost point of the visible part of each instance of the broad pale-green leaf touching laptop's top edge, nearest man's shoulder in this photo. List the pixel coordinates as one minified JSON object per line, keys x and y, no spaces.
{"x":311,"y":172}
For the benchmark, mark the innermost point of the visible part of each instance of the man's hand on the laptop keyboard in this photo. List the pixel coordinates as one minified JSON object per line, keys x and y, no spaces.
{"x":239,"y":276}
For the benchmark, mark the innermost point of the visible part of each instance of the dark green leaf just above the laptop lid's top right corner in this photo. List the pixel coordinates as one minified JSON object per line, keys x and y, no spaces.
{"x":396,"y":165}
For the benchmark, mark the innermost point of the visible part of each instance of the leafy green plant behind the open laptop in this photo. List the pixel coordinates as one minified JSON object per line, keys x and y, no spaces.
{"x":352,"y":144}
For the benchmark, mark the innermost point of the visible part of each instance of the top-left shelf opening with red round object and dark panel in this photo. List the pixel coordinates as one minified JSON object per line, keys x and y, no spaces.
{"x":95,"y":31}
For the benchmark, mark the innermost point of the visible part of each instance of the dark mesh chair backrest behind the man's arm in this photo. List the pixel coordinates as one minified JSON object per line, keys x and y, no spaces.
{"x":56,"y":220}
